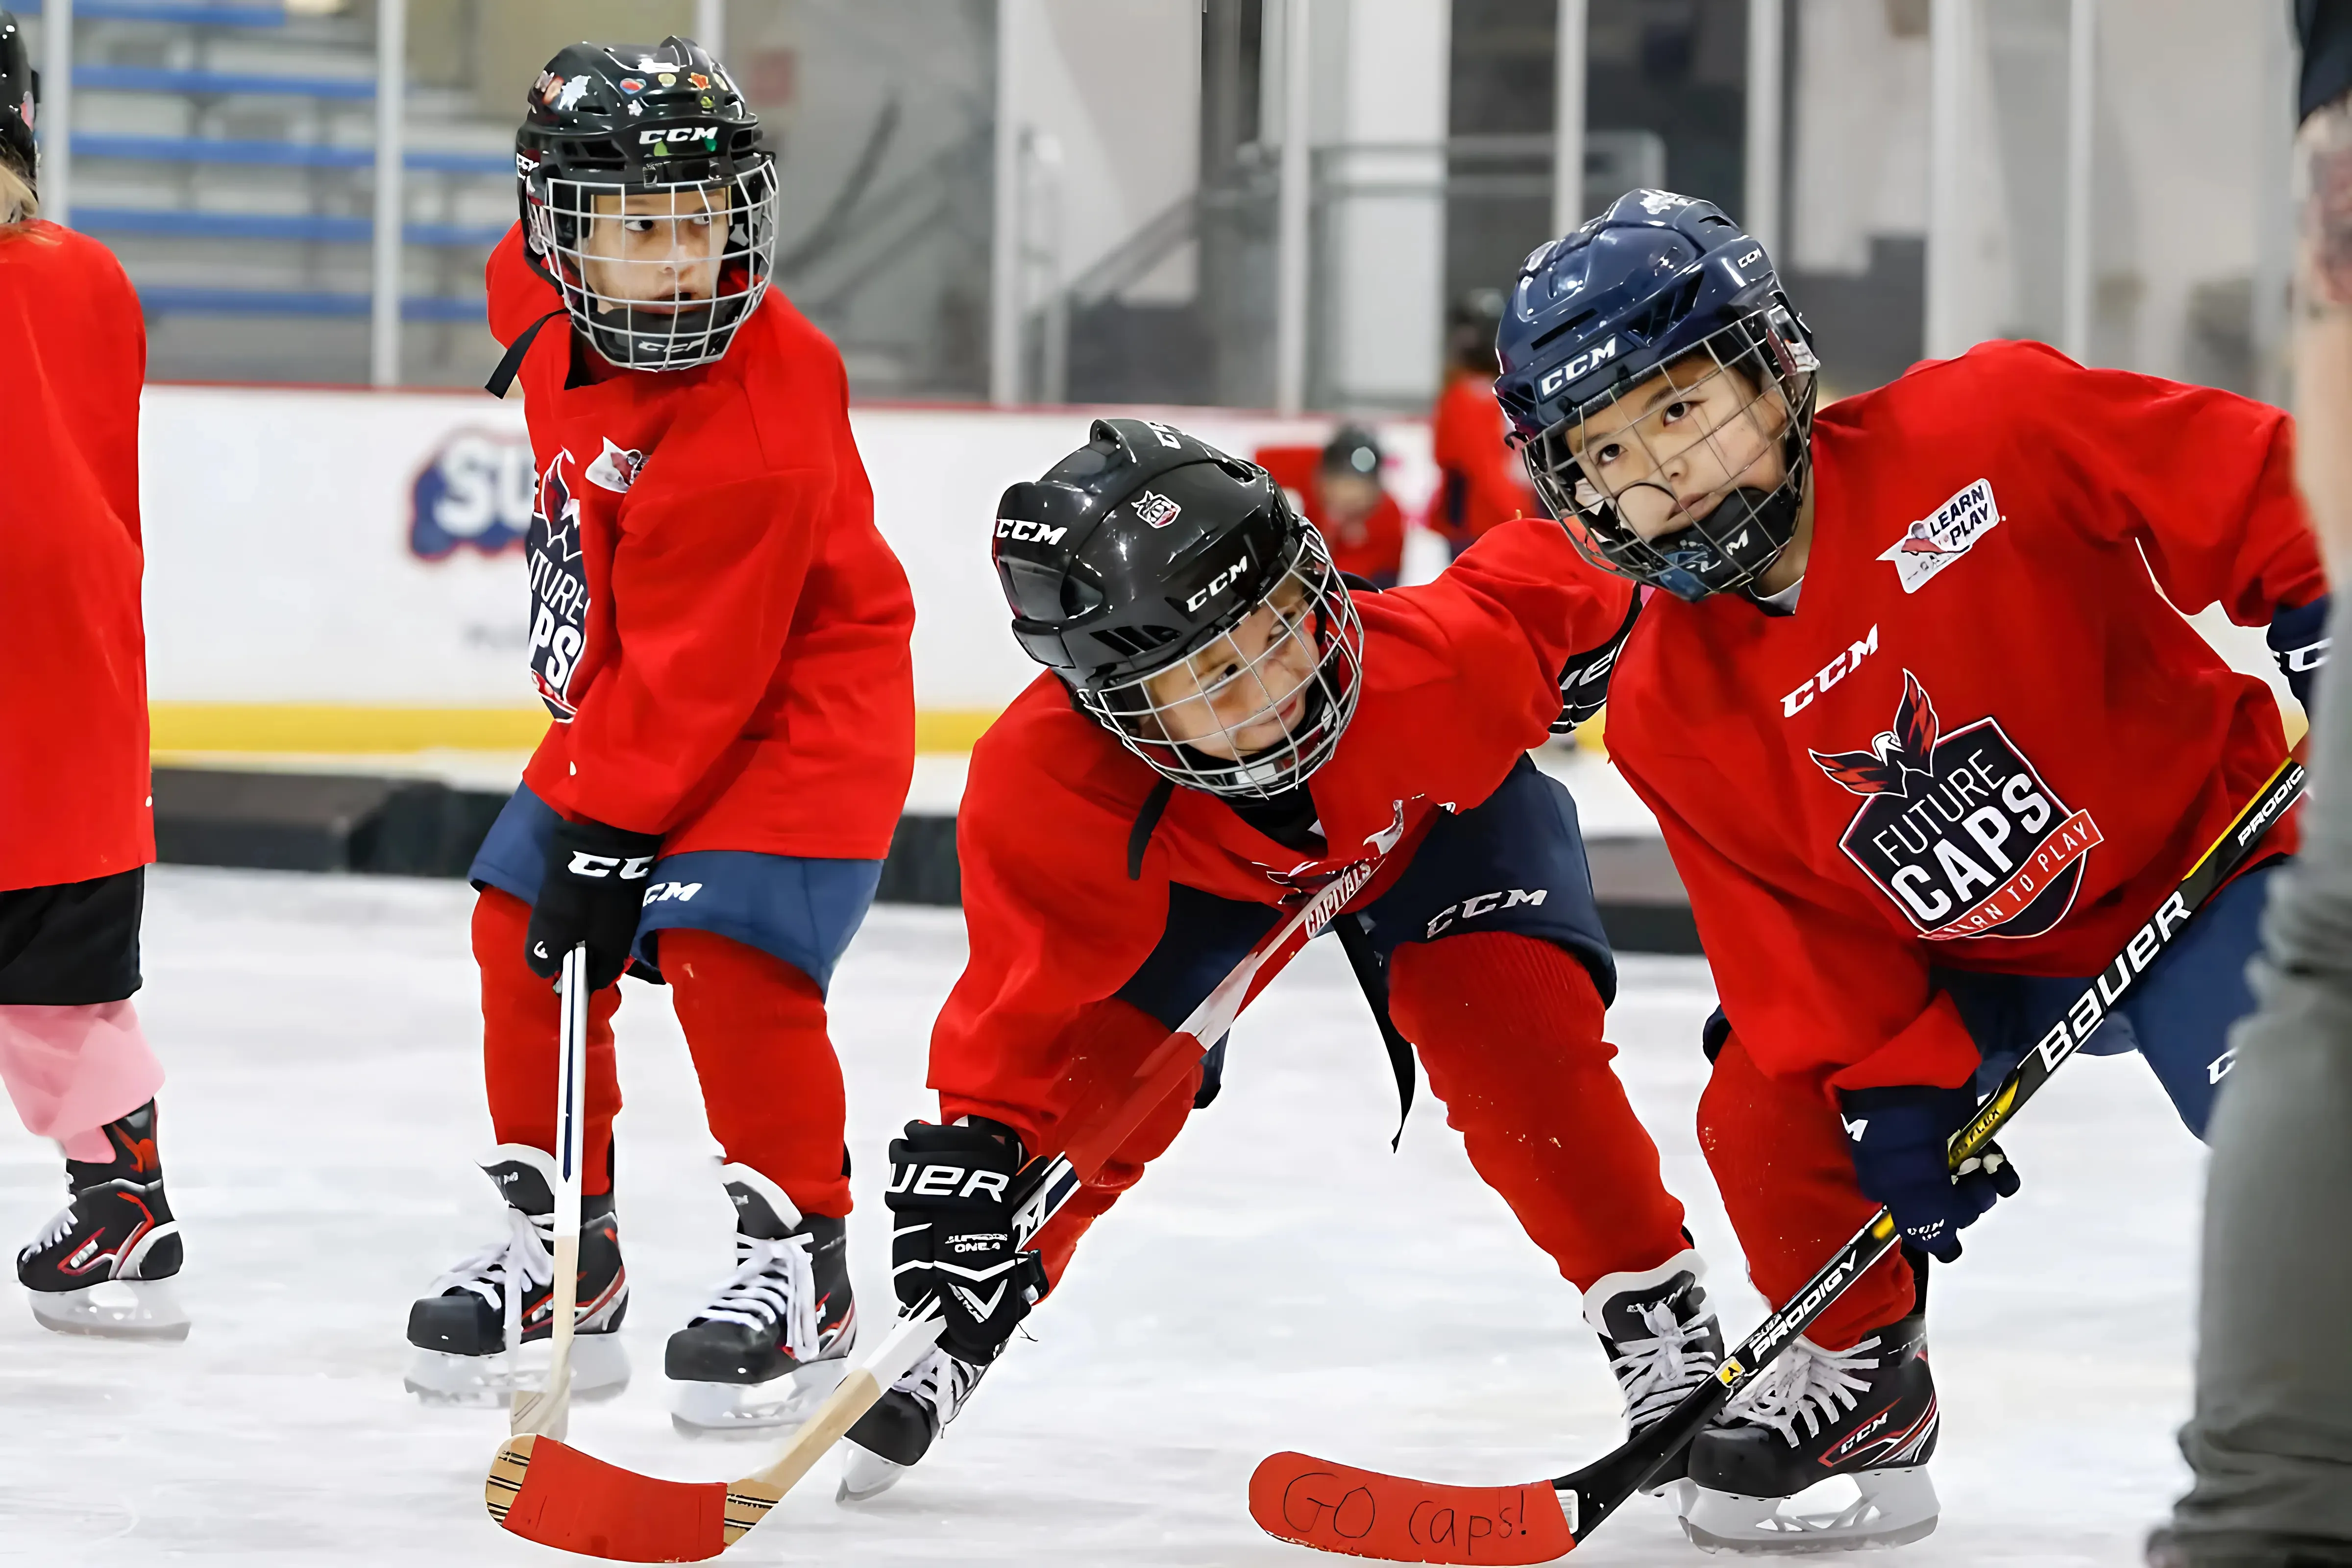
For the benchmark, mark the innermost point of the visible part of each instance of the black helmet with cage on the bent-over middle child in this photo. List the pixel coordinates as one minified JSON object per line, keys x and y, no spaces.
{"x":1147,"y":549}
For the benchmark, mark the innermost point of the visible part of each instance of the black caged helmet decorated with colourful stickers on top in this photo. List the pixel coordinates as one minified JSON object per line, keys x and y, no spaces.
{"x":662,"y":133}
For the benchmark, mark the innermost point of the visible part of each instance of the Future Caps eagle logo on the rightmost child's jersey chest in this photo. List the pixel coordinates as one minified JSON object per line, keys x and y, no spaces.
{"x":1958,"y":829}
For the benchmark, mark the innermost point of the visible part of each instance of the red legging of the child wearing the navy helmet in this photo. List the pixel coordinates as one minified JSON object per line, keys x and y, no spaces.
{"x":1779,"y":1155}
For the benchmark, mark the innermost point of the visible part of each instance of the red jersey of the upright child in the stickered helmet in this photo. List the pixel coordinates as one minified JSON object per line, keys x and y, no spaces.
{"x":716,"y":624}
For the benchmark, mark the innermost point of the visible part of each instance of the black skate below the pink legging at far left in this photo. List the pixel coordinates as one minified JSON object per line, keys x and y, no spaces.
{"x":102,"y":1264}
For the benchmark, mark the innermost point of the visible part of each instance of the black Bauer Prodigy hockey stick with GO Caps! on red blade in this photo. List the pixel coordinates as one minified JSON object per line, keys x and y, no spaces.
{"x":1337,"y":1508}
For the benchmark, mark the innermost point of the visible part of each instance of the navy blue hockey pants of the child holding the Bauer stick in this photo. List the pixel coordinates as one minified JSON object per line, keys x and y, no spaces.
{"x":2177,"y":1017}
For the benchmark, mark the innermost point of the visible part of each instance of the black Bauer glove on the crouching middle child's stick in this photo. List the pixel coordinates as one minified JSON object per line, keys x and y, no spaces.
{"x":951,"y":1188}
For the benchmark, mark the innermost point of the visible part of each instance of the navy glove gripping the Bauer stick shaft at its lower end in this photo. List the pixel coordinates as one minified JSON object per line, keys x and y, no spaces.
{"x":1899,"y":1141}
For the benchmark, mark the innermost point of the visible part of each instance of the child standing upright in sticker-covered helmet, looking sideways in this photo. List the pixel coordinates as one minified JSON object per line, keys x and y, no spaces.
{"x":723,"y":643}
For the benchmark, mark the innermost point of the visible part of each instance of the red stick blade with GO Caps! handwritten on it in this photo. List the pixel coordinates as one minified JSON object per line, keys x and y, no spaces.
{"x":1337,"y":1508}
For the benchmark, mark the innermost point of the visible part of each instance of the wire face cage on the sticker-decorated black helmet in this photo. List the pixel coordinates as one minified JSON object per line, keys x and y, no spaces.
{"x":660,"y":276}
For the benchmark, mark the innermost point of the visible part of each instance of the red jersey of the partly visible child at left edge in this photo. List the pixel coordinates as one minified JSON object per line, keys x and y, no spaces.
{"x":74,"y":763}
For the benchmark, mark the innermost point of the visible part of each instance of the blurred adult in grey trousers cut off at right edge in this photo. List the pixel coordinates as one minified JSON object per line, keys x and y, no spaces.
{"x":2271,"y":1440}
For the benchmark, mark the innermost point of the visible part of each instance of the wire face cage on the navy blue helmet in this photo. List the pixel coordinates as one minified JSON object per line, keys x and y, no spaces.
{"x":1690,"y":481}
